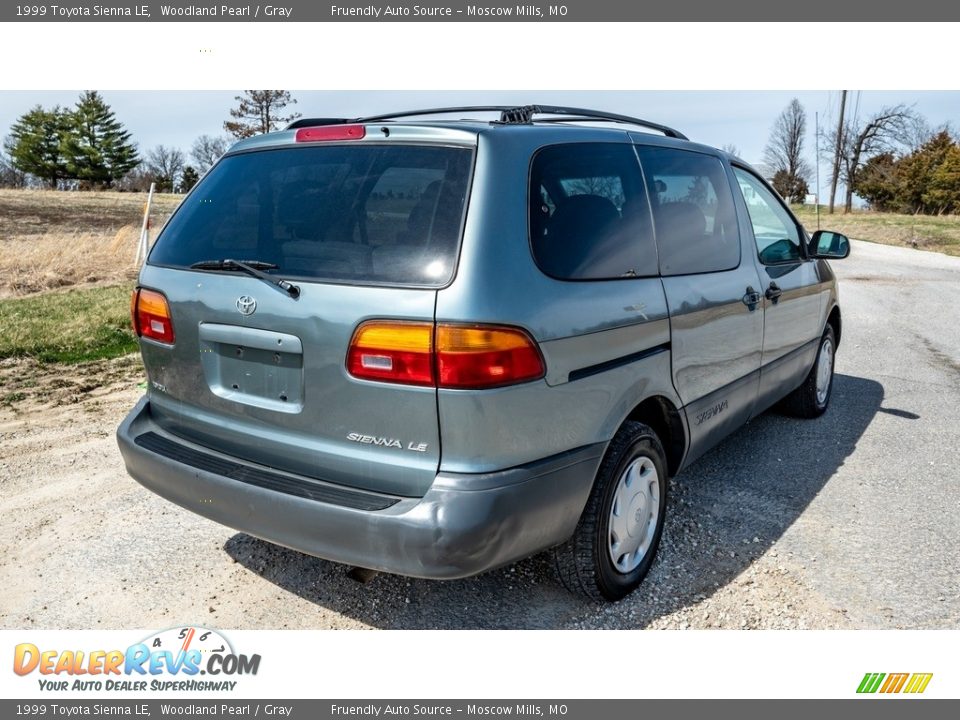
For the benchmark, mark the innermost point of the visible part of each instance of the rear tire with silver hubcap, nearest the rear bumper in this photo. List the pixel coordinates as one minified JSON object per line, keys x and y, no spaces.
{"x":586,"y":562}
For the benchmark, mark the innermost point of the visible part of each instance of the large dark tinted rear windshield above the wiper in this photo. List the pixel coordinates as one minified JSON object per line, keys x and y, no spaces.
{"x":354,"y":214}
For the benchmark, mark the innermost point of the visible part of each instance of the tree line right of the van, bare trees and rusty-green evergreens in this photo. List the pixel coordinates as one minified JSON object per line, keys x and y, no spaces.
{"x":890,"y":158}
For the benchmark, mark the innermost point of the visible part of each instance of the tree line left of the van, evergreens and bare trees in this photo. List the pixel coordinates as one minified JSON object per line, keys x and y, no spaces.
{"x":86,"y":147}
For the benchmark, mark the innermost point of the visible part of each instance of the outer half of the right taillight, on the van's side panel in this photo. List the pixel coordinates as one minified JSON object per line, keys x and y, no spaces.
{"x":484,"y":356}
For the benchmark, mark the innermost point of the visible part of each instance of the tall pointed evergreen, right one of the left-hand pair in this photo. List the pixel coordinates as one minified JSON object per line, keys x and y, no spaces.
{"x":98,"y":148}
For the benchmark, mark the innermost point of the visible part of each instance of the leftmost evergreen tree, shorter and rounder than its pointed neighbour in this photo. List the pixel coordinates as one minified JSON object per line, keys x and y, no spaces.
{"x":35,"y":144}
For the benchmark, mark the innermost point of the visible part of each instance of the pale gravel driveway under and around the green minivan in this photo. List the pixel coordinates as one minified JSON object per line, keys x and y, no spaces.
{"x":852,"y":520}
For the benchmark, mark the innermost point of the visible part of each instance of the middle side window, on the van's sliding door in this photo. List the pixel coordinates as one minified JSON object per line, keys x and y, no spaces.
{"x":693,"y":211}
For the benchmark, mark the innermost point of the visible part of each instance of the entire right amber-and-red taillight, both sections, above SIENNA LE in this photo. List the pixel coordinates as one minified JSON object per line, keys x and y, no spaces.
{"x":447,"y":356}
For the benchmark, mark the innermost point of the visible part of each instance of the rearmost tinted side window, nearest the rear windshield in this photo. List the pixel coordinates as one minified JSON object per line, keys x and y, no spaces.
{"x":589,"y":216}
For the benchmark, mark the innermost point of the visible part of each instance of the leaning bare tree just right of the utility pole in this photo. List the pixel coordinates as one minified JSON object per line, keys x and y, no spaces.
{"x":884,"y":131}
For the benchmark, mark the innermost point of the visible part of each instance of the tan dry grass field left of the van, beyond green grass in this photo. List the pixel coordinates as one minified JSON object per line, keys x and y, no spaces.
{"x":51,"y":239}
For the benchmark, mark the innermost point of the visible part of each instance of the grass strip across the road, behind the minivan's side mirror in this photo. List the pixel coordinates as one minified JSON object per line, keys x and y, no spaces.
{"x":924,"y":232}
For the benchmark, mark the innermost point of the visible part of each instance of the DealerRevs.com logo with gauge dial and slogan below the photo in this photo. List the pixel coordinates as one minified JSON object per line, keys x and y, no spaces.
{"x":173,"y":659}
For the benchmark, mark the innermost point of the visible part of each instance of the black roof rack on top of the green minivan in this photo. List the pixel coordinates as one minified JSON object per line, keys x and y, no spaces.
{"x":509,"y":115}
